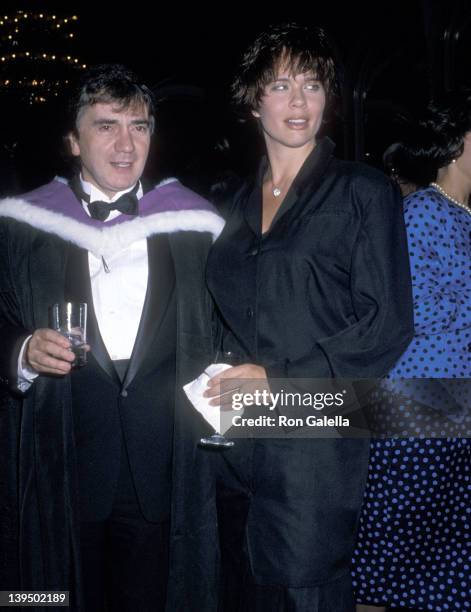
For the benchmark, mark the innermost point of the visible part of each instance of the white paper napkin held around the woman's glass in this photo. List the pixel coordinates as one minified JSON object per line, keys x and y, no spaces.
{"x":212,"y":414}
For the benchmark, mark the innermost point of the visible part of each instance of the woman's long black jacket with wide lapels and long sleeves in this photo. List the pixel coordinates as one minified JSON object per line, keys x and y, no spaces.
{"x":326,"y":292}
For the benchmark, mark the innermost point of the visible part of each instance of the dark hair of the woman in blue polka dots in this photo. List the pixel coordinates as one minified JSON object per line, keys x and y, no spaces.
{"x":440,"y":139}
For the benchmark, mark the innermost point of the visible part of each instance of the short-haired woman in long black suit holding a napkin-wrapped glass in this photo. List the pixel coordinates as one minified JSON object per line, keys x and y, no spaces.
{"x":311,"y":279}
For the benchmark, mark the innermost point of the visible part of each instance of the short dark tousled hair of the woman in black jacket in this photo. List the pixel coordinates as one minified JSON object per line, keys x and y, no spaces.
{"x":299,"y":48}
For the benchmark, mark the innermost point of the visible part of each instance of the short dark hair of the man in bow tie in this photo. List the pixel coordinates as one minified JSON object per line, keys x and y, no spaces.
{"x":107,"y":83}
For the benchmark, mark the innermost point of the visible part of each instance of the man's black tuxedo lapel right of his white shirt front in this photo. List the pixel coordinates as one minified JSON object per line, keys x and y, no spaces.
{"x":160,"y":287}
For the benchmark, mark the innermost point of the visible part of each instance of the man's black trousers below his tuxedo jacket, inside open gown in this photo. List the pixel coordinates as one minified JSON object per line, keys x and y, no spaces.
{"x":125,"y":558}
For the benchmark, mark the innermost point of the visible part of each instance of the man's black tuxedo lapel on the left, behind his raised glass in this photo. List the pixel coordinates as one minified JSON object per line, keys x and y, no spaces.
{"x":78,"y":289}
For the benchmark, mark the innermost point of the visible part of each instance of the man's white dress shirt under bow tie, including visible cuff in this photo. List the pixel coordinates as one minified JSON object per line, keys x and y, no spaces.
{"x":119,"y":288}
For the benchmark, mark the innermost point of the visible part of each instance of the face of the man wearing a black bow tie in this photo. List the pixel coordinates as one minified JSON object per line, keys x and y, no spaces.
{"x":113,"y":144}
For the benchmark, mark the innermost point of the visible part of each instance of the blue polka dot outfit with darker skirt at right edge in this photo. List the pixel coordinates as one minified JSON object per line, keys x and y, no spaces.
{"x":414,"y":547}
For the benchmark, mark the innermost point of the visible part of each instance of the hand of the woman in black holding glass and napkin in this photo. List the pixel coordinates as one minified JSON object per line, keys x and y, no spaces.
{"x":245,"y":378}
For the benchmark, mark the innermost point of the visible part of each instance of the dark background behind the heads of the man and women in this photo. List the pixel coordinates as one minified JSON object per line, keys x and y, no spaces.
{"x":395,"y":56}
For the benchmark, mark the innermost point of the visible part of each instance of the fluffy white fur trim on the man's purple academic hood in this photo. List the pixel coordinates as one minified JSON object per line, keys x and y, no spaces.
{"x":108,"y":240}
